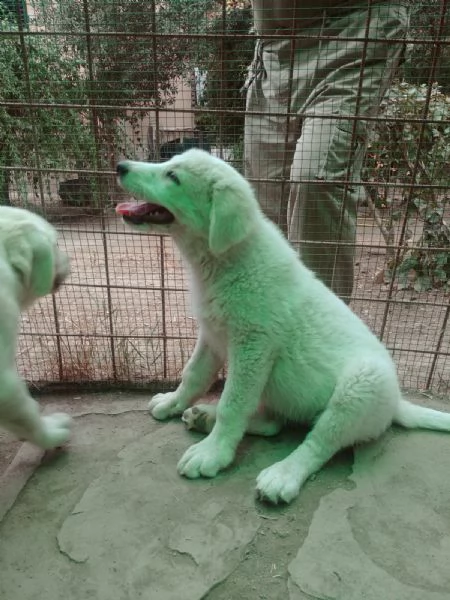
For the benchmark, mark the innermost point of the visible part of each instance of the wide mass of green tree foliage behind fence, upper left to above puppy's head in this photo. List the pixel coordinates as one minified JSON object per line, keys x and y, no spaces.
{"x":125,"y":68}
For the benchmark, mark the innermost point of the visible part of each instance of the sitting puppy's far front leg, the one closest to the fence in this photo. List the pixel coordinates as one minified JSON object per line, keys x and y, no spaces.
{"x":197,"y":378}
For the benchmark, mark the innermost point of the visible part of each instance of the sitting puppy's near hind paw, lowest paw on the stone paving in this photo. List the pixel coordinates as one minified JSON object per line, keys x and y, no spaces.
{"x":278,"y":483}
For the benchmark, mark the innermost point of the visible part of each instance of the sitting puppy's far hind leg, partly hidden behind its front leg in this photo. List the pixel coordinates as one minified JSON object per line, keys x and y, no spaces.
{"x":202,"y":417}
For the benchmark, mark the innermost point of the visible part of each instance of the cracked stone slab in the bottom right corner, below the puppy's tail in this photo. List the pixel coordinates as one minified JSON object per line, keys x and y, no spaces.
{"x":387,"y":538}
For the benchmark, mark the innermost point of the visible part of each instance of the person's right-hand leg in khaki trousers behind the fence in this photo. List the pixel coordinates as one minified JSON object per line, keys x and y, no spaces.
{"x":350,"y":80}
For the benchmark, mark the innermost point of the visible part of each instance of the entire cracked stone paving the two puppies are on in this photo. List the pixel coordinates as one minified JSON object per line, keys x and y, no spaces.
{"x":108,"y":518}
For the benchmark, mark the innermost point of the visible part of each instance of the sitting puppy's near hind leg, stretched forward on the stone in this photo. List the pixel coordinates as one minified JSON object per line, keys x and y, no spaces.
{"x":361,"y":408}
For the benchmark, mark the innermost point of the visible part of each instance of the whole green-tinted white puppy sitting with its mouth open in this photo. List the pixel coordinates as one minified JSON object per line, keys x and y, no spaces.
{"x":291,"y":345}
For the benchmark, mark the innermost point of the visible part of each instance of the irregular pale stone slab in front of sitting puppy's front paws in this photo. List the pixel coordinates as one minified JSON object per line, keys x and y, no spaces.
{"x":164,"y":551}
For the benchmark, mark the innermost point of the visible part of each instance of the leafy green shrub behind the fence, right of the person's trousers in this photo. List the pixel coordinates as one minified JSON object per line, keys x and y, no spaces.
{"x":394,"y":156}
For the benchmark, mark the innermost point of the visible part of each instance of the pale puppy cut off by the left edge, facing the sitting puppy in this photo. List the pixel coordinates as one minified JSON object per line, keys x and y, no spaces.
{"x":31,"y":266}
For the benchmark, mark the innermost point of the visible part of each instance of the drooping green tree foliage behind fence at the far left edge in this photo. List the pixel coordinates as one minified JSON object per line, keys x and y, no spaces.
{"x":39,"y":71}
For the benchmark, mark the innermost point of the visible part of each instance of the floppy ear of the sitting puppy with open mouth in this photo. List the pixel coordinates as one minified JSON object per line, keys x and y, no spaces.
{"x":233,"y":213}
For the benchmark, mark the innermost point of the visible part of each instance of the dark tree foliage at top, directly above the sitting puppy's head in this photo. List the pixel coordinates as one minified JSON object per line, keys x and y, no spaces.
{"x":129,"y":65}
